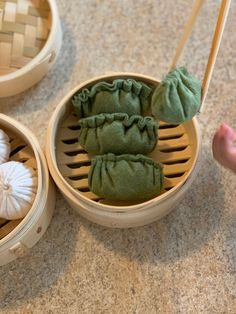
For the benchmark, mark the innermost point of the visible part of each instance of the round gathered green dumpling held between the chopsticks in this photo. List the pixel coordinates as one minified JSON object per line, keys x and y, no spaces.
{"x":177,"y":98}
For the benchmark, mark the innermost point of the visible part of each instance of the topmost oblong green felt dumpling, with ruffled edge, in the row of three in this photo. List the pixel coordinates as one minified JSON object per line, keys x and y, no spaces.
{"x":127,"y":96}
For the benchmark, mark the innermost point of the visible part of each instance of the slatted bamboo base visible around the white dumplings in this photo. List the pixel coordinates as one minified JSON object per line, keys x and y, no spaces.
{"x":22,"y":152}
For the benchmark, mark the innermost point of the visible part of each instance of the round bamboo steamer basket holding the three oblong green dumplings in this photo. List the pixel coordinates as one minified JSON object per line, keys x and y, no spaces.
{"x":177,"y":150}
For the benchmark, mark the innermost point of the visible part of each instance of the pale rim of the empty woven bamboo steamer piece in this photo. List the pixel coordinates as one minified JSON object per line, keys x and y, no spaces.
{"x":41,"y":55}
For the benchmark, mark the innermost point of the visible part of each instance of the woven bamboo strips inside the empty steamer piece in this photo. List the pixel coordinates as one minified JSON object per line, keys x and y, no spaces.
{"x":24,"y":29}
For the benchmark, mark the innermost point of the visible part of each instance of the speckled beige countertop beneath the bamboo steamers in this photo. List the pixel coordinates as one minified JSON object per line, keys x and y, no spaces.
{"x":184,"y":263}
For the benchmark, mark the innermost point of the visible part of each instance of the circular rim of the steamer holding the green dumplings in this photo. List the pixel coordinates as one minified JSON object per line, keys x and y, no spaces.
{"x":51,"y":156}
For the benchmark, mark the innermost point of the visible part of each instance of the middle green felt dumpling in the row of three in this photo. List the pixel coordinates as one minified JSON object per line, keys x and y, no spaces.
{"x":118,"y":133}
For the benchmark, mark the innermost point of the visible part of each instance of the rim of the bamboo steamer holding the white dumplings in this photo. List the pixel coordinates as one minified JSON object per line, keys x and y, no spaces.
{"x":42,"y":177}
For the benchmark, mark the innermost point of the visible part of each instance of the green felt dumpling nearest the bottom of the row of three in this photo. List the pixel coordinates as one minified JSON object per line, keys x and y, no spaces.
{"x":125,"y":177}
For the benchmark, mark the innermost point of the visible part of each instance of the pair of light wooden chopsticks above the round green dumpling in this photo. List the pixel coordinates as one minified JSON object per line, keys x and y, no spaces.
{"x":219,"y":29}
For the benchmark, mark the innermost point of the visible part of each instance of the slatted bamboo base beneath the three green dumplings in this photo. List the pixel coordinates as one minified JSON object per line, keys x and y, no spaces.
{"x":173,"y":151}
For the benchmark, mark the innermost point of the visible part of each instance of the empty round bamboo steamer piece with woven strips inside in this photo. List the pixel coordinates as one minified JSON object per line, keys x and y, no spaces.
{"x":30,"y":40}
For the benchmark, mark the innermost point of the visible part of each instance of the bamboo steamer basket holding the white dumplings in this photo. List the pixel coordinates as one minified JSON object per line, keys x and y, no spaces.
{"x":18,"y":236}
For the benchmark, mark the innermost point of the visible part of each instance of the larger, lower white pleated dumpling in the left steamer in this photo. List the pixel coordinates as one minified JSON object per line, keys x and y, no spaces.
{"x":18,"y":186}
